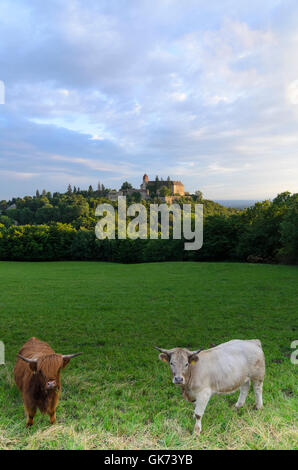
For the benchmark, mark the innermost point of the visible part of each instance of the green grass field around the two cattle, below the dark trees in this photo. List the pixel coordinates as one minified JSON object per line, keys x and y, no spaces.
{"x":118,"y":395}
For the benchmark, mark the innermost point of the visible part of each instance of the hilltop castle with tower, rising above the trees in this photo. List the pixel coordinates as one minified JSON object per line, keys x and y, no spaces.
{"x":148,"y":187}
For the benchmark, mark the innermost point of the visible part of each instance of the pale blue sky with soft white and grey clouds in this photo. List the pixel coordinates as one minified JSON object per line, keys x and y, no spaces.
{"x":107,"y":90}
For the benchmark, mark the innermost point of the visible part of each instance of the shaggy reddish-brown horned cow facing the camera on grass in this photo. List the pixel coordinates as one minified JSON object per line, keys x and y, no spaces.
{"x":37,"y":375}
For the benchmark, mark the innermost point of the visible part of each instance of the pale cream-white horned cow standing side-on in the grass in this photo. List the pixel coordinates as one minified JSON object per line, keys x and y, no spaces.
{"x":219,"y":370}
